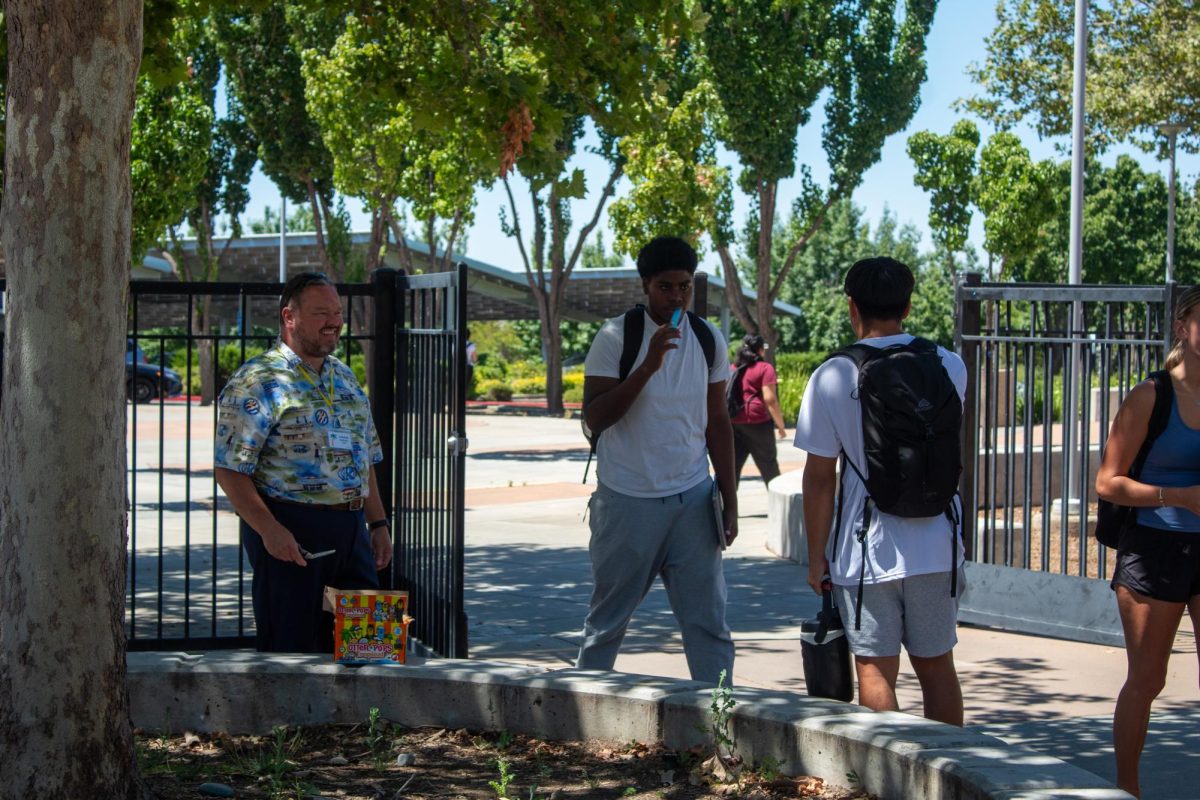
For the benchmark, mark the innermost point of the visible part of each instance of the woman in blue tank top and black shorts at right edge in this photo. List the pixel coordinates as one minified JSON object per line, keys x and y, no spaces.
{"x":1157,"y":574}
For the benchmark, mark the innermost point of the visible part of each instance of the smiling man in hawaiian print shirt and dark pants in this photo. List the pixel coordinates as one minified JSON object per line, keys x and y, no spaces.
{"x":296,"y":448}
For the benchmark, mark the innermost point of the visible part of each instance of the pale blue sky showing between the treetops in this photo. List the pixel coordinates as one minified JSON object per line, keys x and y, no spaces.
{"x":956,"y":40}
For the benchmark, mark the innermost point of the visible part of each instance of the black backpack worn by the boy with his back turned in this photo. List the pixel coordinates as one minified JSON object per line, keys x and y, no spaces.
{"x":913,"y":418}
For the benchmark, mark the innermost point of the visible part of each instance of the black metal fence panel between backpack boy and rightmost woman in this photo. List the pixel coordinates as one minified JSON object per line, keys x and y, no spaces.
{"x":1048,"y":369}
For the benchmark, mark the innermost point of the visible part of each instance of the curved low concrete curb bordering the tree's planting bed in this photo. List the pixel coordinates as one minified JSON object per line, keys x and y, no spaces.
{"x":893,"y":755}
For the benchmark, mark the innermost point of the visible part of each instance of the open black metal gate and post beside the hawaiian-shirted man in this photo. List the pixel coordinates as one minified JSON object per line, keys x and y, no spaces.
{"x":429,"y":401}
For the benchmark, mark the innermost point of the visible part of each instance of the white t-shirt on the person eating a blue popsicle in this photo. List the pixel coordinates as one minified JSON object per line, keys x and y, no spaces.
{"x":658,"y":449}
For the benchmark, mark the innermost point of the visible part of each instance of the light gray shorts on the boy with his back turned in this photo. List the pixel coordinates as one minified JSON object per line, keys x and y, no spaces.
{"x":916,"y":612}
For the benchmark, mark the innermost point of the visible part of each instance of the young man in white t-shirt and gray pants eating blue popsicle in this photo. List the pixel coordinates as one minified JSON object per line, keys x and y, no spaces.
{"x":652,"y":514}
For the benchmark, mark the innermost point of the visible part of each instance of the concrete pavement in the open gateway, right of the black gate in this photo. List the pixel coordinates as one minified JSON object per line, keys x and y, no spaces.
{"x":529,"y":581}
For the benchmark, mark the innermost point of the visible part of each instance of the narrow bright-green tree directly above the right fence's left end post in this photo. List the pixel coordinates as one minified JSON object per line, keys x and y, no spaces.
{"x":946,"y":167}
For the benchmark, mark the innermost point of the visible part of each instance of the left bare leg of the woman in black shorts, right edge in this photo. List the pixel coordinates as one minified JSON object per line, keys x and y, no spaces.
{"x":1150,"y":628}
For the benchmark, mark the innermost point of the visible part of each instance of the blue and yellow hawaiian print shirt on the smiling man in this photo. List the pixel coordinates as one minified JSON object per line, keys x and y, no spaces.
{"x":301,"y":436}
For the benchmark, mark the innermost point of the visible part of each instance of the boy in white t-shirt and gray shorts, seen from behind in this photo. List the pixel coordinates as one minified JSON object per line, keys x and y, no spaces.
{"x":905,"y":599}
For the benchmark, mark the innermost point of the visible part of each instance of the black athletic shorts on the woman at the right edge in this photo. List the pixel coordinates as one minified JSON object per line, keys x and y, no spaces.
{"x":1160,"y":564}
